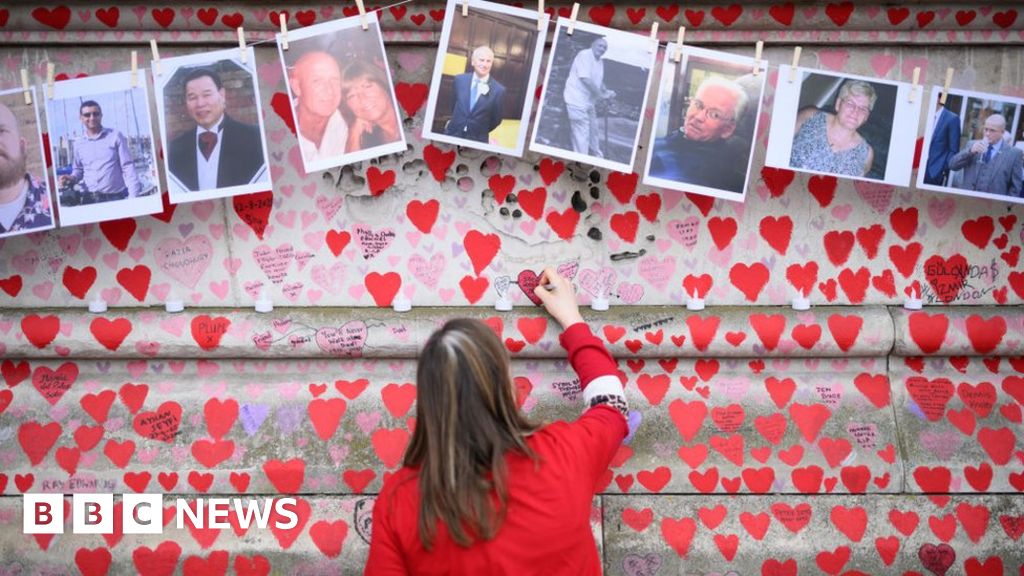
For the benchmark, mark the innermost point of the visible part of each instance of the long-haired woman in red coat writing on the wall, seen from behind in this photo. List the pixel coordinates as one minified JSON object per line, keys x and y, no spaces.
{"x":484,"y":490}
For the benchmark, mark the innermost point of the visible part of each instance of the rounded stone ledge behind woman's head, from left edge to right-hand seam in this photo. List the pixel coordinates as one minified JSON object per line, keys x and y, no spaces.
{"x":528,"y":333}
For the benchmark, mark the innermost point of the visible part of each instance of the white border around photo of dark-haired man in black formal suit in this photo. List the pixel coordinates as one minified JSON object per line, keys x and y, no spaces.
{"x":177,"y":192}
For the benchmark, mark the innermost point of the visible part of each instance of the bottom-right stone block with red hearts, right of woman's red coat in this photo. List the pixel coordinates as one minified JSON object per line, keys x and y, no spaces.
{"x":814,"y":536}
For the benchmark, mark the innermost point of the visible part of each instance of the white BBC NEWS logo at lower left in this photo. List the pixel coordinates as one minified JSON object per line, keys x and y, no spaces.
{"x":144,"y":514}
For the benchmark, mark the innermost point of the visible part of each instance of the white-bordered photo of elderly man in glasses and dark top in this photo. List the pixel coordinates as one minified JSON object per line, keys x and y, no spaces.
{"x":706,"y":121}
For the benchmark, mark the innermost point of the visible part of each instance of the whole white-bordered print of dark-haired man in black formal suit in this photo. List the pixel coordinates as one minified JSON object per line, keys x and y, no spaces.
{"x":211,"y":126}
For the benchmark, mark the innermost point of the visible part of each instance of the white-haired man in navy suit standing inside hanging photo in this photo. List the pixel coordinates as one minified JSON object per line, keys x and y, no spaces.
{"x":479,"y":100}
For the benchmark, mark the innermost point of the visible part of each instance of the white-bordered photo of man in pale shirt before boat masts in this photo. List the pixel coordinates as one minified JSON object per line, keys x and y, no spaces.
{"x":105,"y":160}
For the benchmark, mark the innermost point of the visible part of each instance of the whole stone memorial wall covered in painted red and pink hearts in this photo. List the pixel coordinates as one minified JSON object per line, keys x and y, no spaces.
{"x":855,"y":438}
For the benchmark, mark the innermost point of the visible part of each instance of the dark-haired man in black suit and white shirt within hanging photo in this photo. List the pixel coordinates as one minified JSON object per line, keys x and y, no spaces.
{"x":219,"y":151}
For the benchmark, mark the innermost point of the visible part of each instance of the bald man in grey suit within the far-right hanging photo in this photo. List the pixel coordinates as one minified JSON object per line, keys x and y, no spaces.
{"x":990,"y":164}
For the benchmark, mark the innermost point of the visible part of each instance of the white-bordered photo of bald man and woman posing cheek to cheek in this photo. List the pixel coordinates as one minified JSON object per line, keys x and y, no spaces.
{"x":342,"y":92}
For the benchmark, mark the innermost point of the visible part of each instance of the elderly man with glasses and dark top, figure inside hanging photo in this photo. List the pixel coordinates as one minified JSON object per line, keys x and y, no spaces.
{"x":704,"y":151}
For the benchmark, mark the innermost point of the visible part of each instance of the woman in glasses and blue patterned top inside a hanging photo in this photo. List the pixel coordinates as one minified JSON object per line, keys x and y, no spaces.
{"x":831,"y":143}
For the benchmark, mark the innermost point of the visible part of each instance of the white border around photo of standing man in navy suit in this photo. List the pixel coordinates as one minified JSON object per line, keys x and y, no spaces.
{"x":453,"y":11}
